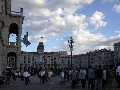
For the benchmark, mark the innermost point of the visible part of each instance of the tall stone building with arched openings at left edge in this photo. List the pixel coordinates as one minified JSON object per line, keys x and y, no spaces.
{"x":10,"y":23}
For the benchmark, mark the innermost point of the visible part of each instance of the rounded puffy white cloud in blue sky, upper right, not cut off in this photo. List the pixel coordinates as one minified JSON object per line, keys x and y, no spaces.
{"x":97,"y":20}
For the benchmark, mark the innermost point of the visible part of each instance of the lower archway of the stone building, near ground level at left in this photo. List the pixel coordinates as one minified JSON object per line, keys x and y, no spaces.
{"x":11,"y":60}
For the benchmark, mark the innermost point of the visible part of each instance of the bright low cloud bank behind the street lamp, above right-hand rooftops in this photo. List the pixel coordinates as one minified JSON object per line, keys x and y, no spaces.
{"x":86,"y":42}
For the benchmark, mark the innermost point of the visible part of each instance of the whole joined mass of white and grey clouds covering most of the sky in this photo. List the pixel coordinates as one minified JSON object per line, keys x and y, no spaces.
{"x":50,"y":18}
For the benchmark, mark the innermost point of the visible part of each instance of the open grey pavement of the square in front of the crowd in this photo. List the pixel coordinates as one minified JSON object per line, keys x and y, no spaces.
{"x":19,"y":85}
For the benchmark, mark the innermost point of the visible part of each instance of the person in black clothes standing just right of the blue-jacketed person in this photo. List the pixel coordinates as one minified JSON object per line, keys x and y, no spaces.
{"x":99,"y":75}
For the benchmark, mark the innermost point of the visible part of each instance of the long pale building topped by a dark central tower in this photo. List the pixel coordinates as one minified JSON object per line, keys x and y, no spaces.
{"x":41,"y":59}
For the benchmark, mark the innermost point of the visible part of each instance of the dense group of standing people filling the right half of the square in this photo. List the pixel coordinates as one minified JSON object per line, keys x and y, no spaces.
{"x":98,"y":78}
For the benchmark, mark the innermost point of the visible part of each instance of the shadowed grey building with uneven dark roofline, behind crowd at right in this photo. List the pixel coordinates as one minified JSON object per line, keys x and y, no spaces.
{"x":101,"y":57}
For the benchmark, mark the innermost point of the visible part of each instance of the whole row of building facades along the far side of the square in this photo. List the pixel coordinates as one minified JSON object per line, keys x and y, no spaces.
{"x":60,"y":59}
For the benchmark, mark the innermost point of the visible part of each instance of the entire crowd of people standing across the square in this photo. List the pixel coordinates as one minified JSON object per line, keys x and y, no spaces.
{"x":97,"y":78}
